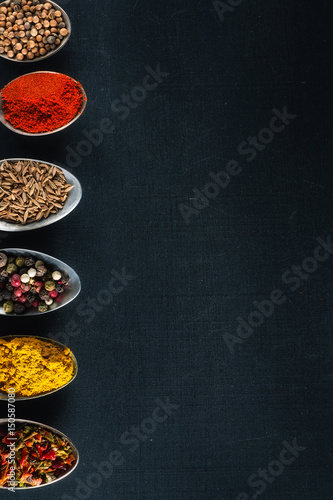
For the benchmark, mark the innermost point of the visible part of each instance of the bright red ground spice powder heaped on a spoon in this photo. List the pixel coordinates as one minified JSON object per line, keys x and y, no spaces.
{"x":41,"y":102}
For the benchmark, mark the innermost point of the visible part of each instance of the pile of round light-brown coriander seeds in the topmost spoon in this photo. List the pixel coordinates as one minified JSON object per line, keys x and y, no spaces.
{"x":30,"y":29}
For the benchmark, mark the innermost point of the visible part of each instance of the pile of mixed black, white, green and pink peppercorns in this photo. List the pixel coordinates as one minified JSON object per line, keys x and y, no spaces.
{"x":27,"y":283}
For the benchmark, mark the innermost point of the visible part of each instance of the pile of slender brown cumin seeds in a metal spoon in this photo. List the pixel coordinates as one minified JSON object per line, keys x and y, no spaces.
{"x":30,"y":191}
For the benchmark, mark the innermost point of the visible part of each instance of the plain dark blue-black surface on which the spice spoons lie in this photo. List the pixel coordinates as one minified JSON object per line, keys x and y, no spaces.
{"x":162,"y":336}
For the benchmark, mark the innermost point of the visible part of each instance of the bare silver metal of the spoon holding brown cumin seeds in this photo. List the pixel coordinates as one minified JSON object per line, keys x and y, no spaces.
{"x":73,"y":200}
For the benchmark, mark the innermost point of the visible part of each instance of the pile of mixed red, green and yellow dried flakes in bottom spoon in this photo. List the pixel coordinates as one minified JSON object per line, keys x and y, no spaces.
{"x":41,"y":456}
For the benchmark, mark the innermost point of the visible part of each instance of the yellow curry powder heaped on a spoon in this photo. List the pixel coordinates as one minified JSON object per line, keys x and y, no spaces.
{"x":33,"y":366}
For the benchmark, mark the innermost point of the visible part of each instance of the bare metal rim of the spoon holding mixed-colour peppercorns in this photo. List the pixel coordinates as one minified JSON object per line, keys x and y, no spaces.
{"x":72,"y":290}
